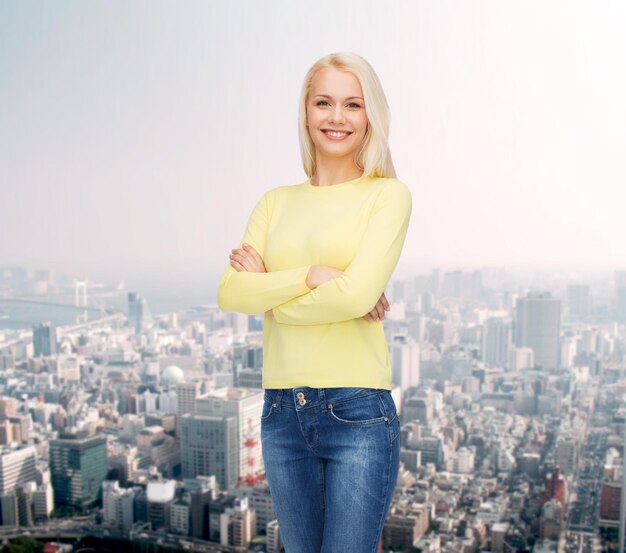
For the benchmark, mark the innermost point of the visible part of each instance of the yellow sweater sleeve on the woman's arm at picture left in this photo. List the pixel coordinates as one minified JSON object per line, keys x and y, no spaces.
{"x":252,"y":293}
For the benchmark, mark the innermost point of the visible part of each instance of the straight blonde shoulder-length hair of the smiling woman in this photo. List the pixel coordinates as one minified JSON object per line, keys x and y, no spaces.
{"x":373,"y":156}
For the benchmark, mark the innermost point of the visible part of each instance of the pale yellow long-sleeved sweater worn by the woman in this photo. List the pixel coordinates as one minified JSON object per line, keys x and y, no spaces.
{"x":318,"y":338}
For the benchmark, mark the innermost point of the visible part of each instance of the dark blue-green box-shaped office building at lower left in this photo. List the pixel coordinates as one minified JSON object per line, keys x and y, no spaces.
{"x":78,"y":465}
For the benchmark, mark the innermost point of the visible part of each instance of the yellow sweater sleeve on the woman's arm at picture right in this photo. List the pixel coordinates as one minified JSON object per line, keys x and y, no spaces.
{"x":357,"y":290}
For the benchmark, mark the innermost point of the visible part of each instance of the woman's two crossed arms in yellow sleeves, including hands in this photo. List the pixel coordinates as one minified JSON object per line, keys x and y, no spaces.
{"x":319,"y":294}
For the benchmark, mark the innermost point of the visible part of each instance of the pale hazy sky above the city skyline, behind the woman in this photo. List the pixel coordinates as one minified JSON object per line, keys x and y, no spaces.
{"x":135,"y":137}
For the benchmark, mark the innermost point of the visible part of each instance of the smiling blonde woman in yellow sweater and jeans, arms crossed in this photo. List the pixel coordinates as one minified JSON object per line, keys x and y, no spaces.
{"x":316,"y":258}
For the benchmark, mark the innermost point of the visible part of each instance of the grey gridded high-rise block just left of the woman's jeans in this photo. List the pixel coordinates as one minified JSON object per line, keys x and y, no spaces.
{"x":209,"y":446}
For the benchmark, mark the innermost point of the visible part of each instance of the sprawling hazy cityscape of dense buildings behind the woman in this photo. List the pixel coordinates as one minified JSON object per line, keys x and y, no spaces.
{"x":127,"y":429}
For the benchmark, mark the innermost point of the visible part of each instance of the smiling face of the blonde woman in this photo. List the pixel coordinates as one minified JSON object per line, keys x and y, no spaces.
{"x":336,"y":116}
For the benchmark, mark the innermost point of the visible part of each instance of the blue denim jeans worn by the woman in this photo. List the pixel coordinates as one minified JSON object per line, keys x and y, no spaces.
{"x":331,"y":459}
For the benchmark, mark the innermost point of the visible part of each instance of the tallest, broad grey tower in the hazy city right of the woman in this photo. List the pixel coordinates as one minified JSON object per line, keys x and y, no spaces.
{"x":538,"y":326}
